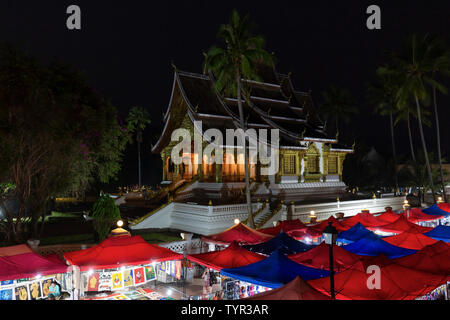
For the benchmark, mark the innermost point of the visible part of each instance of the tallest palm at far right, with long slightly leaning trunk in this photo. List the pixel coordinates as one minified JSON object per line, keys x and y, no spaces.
{"x":415,"y":69}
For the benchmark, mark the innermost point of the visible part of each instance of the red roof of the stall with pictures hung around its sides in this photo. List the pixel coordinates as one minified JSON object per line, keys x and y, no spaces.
{"x":120,"y":251}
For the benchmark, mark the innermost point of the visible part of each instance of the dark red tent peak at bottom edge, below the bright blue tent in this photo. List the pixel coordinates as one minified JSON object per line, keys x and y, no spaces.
{"x":297,"y":289}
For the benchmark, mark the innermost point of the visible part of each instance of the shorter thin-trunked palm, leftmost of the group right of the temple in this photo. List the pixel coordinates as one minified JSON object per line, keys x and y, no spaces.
{"x":382,"y":95}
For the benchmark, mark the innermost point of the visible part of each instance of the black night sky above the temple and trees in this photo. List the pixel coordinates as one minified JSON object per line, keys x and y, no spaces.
{"x":126,"y":48}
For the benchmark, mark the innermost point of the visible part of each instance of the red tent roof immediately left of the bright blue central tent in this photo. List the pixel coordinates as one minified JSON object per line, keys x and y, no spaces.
{"x":233,"y":256}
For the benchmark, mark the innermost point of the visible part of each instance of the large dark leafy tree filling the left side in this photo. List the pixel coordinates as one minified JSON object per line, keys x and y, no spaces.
{"x":57,"y":136}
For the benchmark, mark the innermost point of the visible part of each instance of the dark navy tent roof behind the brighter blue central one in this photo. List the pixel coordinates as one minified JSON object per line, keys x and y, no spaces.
{"x":282,"y":242}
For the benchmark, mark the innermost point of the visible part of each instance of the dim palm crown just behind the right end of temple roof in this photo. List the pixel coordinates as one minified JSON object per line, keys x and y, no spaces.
{"x":338,"y":105}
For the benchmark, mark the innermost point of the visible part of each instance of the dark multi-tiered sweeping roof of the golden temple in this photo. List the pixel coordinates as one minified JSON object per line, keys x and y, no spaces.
{"x":274,"y":104}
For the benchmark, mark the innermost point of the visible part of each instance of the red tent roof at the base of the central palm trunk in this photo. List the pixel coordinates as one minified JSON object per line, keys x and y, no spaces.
{"x":240,"y":233}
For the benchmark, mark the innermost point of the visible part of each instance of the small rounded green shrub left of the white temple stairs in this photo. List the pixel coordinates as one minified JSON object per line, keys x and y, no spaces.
{"x":105,"y":213}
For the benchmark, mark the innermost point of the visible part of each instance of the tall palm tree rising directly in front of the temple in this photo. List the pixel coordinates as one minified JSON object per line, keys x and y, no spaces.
{"x":236,"y":60}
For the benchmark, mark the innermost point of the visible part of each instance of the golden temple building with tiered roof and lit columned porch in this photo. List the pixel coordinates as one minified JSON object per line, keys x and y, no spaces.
{"x":310,"y":162}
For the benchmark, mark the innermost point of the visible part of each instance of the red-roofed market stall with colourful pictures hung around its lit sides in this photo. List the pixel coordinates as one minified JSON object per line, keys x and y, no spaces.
{"x":121,"y":263}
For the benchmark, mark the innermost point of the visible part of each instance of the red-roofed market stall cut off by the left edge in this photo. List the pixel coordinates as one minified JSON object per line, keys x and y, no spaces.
{"x":26,"y":275}
